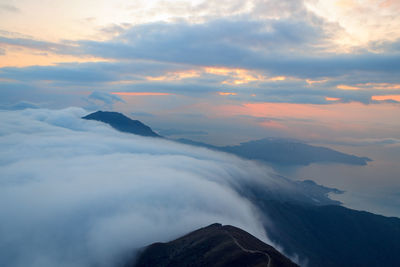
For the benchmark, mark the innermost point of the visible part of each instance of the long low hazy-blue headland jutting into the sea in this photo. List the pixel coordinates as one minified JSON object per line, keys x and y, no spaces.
{"x":284,"y":152}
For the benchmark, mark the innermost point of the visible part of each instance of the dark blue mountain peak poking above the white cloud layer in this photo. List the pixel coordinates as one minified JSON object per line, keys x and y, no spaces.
{"x":122,"y":123}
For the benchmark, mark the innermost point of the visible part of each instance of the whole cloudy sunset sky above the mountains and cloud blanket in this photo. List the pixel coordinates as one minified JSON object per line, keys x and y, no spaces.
{"x":323,"y":71}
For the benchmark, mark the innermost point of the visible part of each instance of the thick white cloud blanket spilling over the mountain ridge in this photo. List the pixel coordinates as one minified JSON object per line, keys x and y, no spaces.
{"x":76,"y":192}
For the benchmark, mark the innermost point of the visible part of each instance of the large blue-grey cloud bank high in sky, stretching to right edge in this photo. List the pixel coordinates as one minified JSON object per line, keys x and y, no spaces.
{"x":282,"y":47}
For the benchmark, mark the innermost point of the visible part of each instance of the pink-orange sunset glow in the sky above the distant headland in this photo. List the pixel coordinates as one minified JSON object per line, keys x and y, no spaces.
{"x":333,"y":118}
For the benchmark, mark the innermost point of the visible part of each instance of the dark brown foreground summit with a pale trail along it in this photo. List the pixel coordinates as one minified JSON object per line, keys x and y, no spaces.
{"x":215,"y":245}
